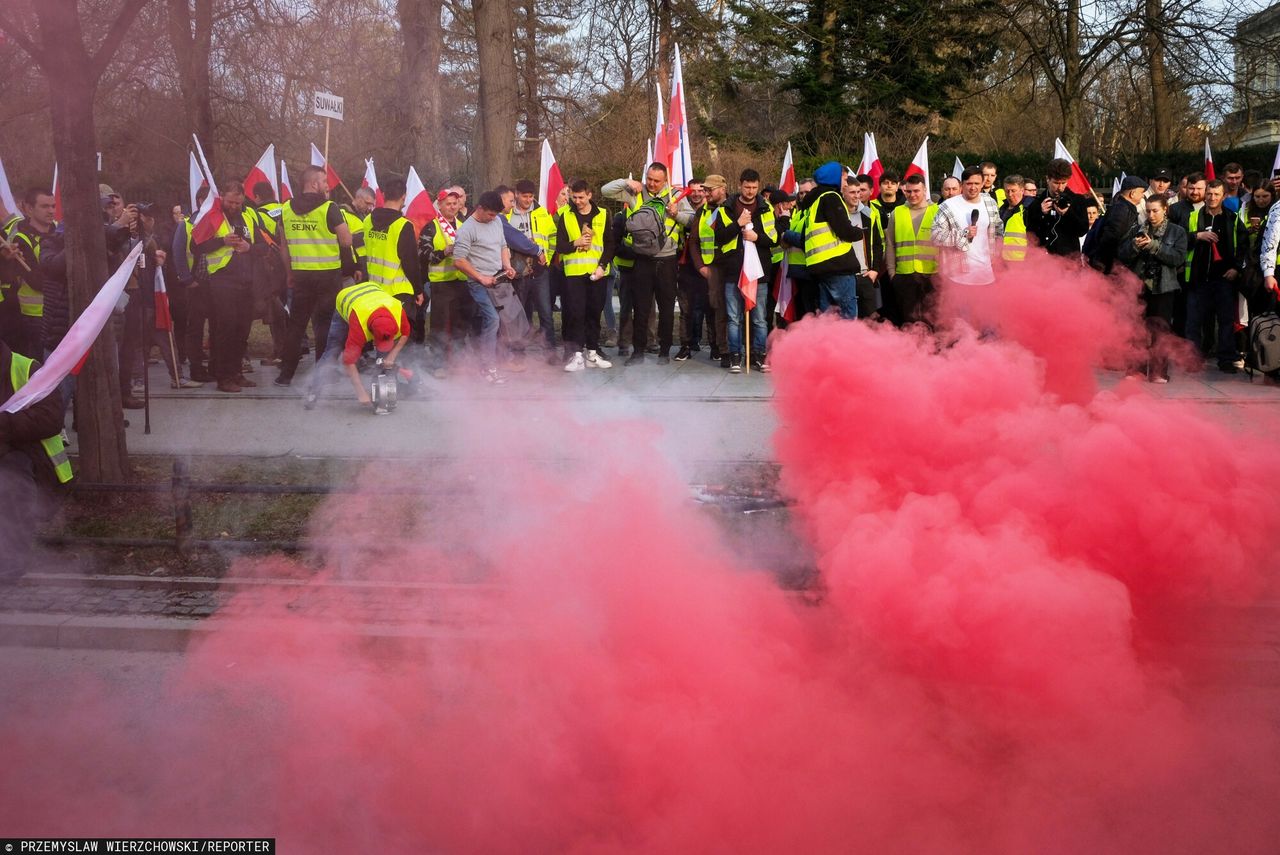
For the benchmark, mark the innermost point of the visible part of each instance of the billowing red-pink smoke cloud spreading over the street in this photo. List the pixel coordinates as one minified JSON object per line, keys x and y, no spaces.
{"x":1008,"y":564}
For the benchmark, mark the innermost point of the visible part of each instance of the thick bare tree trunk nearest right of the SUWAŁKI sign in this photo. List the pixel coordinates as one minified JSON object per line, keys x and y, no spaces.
{"x":423,"y":44}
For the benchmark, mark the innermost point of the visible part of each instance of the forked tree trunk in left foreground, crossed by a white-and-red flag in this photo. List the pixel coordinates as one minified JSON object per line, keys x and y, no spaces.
{"x":74,"y":74}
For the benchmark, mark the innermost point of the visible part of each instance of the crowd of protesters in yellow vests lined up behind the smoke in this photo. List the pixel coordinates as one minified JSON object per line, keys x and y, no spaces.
{"x":639,"y":271}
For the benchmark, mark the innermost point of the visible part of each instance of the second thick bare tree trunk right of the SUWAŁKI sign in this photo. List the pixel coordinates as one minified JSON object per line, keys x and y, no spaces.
{"x":496,"y":120}
